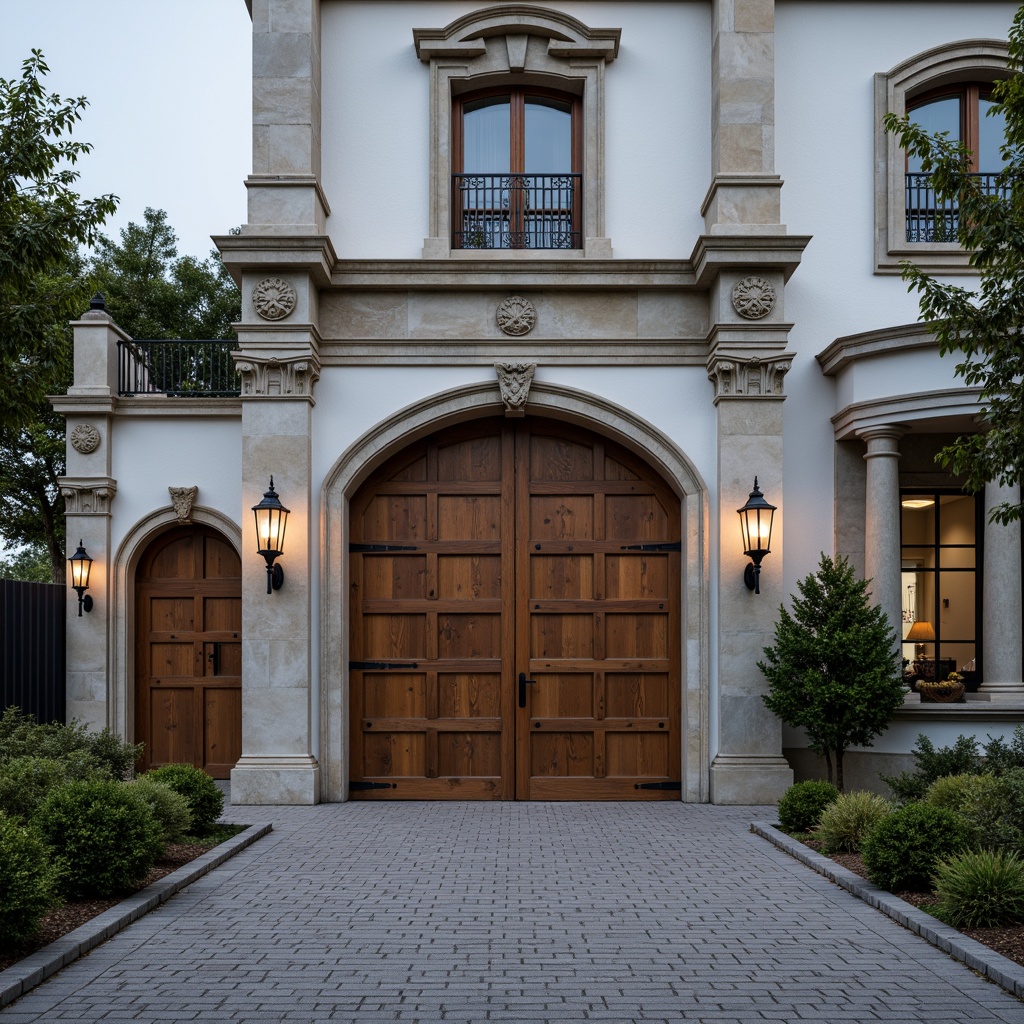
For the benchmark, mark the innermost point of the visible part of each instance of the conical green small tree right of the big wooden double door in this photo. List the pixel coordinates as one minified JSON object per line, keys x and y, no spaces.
{"x":834,"y":670}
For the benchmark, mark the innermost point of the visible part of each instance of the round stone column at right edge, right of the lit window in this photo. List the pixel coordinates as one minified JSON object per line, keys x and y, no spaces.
{"x":1002,"y":605}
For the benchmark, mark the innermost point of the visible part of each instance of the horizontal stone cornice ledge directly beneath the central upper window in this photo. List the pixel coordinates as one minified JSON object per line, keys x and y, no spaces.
{"x":538,"y":272}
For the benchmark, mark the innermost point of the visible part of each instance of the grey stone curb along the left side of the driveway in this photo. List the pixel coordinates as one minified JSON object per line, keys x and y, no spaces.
{"x":36,"y":968}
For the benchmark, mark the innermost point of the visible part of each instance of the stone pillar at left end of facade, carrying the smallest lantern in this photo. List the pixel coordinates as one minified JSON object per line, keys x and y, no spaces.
{"x":89,"y":490}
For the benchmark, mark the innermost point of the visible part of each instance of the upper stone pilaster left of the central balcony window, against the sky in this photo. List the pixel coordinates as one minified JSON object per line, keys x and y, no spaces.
{"x":285,"y":192}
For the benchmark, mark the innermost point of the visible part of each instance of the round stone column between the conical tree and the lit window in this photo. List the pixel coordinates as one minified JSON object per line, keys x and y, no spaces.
{"x":883,"y":560}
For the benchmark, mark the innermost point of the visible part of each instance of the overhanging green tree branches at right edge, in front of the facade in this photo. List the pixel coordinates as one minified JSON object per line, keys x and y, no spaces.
{"x":983,"y":326}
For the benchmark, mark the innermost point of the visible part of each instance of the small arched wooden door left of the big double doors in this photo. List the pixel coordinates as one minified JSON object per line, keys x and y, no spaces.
{"x":189,"y":652}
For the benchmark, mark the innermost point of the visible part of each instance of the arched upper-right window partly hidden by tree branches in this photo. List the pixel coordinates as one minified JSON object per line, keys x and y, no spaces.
{"x":962,"y":111}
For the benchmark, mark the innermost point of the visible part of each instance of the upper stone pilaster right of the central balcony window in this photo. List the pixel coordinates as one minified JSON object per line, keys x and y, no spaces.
{"x":745,"y":194}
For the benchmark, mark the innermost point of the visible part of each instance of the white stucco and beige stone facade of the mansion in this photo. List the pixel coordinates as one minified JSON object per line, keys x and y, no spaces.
{"x":726,"y":146}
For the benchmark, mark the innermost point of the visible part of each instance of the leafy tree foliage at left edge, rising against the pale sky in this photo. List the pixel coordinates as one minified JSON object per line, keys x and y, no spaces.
{"x":44,"y":222}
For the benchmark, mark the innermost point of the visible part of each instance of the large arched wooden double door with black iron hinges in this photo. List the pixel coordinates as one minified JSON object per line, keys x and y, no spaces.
{"x":516,"y":621}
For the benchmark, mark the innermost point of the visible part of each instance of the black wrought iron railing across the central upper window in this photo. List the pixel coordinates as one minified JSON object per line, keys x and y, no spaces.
{"x":517,"y":211}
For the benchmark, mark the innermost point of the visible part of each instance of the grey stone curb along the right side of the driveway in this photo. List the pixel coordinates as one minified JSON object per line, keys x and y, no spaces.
{"x":979,"y":958}
